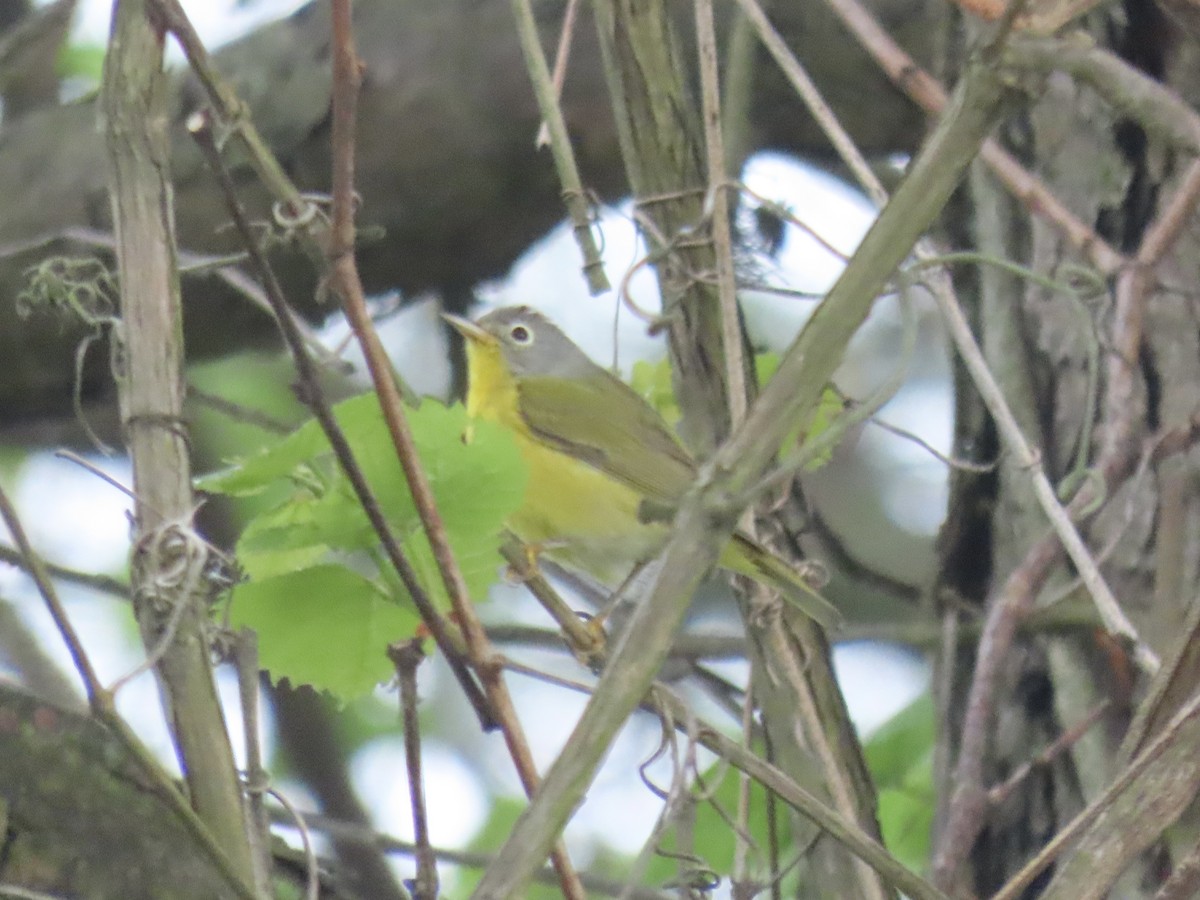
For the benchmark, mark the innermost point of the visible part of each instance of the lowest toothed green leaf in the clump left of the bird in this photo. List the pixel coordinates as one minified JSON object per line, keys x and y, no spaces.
{"x":325,"y":626}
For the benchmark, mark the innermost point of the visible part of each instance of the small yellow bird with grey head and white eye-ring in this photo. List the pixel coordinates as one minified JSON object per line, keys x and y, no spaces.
{"x":599,"y":457}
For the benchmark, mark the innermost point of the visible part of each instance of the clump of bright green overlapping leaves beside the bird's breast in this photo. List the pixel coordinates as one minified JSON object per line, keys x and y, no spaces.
{"x":320,"y":527}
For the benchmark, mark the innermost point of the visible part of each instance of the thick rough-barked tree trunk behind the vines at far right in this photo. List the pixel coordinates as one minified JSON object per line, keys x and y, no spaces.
{"x":1061,"y":361}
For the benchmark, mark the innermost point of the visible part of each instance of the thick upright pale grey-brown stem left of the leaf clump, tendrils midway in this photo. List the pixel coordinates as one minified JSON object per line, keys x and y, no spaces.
{"x":152,"y":413}
